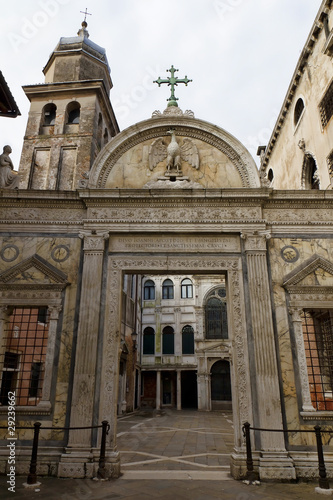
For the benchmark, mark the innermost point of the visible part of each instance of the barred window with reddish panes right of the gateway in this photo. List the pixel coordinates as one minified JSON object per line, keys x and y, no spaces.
{"x":318,"y":343}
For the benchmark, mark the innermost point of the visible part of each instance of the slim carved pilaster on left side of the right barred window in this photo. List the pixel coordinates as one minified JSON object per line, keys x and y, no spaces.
{"x":301,"y":358}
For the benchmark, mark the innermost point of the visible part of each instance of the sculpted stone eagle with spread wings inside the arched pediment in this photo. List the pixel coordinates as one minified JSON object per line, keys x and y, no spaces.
{"x":174,"y":153}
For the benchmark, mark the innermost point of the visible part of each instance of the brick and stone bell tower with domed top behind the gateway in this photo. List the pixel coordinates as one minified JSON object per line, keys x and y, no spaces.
{"x":71,"y":116}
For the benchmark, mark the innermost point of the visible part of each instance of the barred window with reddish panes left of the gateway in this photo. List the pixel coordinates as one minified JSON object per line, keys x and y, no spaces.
{"x":24,"y":355}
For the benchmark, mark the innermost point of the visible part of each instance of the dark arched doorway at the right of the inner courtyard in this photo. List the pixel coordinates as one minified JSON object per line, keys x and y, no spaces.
{"x":221,"y":386}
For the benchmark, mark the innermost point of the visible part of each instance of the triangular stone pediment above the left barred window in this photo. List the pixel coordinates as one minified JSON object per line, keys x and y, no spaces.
{"x":34,"y":271}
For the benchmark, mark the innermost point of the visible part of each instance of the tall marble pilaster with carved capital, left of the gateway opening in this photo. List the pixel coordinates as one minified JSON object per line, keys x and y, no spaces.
{"x":82,"y":409}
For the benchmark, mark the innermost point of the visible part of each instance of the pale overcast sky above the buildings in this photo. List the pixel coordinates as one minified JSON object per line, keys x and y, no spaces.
{"x":240,"y":54}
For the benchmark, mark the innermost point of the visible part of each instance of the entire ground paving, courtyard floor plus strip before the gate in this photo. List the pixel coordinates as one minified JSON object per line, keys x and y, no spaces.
{"x":171,"y":455}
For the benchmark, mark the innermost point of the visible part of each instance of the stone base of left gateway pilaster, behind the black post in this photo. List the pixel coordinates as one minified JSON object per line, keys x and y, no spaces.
{"x":83,"y":463}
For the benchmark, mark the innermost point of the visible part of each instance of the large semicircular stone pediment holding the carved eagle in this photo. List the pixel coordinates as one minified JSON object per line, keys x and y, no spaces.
{"x":140,"y":157}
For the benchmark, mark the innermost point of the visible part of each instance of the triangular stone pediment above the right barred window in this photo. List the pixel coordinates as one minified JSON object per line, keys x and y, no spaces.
{"x":316,"y":272}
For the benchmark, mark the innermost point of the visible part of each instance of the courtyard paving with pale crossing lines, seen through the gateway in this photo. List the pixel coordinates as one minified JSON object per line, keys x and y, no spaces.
{"x":175,"y":440}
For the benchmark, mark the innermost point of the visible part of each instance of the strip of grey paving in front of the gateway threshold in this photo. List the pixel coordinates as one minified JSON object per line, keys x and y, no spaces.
{"x":157,"y":489}
